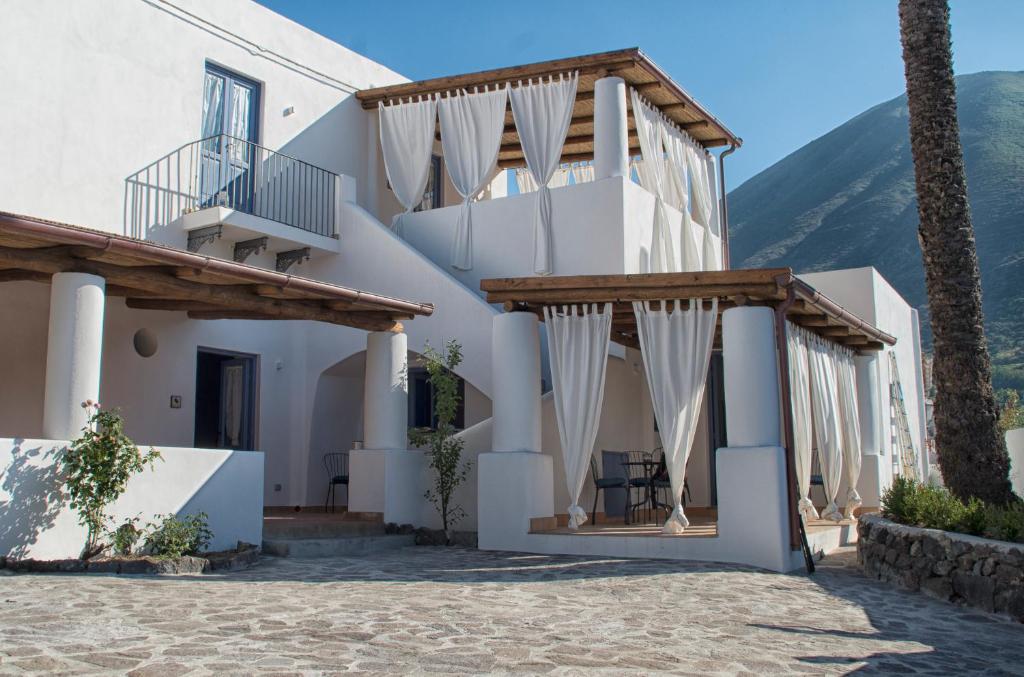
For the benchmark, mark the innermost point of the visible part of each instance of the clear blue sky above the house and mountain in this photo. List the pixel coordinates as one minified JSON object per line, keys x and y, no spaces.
{"x":779,"y":73}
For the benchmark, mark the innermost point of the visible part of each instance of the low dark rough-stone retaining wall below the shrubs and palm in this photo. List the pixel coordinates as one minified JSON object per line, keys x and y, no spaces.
{"x":955,"y":568}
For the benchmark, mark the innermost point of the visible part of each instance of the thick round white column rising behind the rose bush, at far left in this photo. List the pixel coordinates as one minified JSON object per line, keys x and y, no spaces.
{"x":74,"y":350}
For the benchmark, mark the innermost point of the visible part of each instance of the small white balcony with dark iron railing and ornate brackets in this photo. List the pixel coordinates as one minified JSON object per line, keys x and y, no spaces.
{"x":238,"y":200}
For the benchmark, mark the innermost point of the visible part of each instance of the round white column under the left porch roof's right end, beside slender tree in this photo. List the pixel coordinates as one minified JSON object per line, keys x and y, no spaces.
{"x":386,"y":392}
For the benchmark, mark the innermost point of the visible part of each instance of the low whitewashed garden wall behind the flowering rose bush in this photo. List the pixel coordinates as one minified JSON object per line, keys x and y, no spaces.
{"x":36,"y":522}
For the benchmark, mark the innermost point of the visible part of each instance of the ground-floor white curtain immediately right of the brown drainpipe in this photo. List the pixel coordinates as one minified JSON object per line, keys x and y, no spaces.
{"x":800,"y":399}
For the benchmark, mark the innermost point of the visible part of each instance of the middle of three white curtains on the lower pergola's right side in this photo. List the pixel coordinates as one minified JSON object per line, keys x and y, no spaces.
{"x":828,"y":429}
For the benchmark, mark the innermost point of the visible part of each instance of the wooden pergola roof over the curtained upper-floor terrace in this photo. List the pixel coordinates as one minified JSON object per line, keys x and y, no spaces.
{"x":631,"y":65}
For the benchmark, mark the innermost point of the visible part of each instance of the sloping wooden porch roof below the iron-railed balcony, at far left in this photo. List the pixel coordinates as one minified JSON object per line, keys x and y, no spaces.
{"x":154,"y":277}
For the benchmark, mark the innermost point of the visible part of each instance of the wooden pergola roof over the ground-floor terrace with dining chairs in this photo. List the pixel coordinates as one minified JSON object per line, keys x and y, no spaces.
{"x":772,"y":287}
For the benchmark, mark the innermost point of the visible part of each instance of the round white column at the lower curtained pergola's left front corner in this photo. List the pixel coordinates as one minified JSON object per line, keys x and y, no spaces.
{"x":516,"y":359}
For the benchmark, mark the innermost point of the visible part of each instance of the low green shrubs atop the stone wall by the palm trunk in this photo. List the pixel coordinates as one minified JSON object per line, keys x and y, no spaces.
{"x":909,"y":502}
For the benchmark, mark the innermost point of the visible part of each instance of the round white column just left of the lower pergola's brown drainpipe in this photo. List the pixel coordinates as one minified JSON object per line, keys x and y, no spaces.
{"x":751,"y":371}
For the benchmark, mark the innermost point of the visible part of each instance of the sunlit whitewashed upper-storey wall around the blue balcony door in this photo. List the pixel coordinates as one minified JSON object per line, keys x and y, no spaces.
{"x":98,"y":90}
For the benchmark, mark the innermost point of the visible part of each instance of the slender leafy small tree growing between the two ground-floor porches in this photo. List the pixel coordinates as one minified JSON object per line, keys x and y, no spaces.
{"x":444,"y":447}
